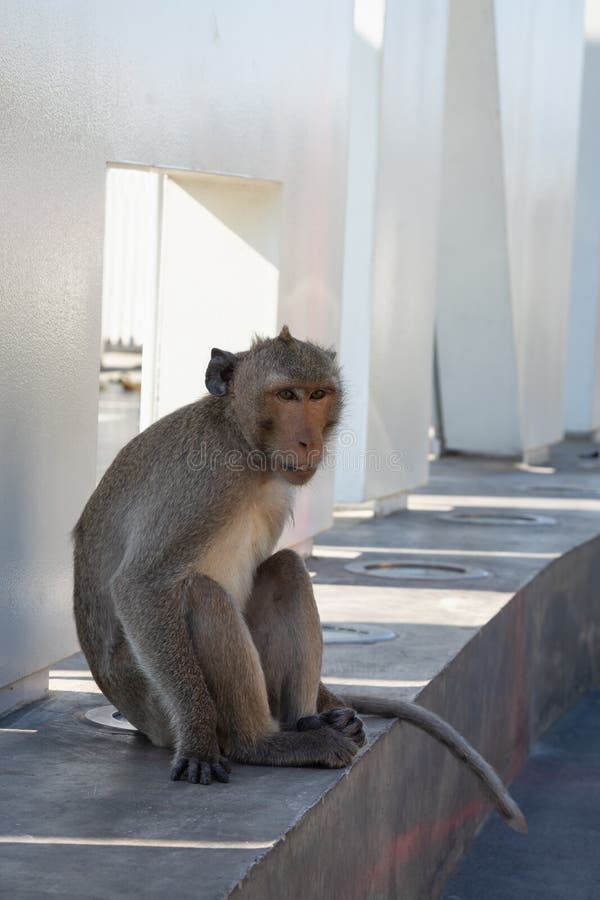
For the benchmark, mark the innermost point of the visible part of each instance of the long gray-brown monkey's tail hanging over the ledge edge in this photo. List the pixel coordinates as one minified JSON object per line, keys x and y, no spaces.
{"x":442,"y":731}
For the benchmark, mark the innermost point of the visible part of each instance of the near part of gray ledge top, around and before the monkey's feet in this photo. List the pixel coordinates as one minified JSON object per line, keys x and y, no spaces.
{"x":88,"y":813}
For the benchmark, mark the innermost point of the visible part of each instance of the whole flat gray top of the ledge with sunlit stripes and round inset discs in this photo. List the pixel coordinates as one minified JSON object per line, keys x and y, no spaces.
{"x":89,"y":813}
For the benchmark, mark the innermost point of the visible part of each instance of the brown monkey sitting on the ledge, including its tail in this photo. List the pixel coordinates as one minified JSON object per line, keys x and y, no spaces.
{"x":202,"y":636}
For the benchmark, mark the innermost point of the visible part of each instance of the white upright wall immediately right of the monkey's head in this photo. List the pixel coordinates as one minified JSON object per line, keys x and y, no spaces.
{"x":391,"y":243}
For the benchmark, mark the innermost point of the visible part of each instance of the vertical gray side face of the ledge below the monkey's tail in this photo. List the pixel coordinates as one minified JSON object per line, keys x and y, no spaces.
{"x":397,"y":824}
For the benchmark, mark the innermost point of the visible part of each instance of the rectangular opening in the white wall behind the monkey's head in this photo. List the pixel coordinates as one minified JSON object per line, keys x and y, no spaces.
{"x":191,"y":261}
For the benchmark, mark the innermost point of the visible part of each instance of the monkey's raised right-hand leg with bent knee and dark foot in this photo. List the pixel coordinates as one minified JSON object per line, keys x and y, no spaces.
{"x":284,"y":622}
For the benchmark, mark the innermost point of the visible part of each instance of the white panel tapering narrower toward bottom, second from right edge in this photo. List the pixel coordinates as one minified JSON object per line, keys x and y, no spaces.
{"x":540,"y":61}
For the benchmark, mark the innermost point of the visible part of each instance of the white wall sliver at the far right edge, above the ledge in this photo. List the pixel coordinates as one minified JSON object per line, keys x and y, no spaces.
{"x":583,"y":381}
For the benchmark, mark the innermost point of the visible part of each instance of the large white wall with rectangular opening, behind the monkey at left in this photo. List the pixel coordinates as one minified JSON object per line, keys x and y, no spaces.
{"x":255,"y":89}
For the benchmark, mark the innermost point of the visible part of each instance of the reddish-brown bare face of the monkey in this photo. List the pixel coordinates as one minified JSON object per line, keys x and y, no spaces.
{"x":297,"y":418}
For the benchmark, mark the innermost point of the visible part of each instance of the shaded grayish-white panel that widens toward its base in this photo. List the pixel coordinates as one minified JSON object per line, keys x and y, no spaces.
{"x":477,"y":364}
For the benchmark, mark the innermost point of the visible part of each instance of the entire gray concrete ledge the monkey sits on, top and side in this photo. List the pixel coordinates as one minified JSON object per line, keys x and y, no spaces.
{"x":92,"y":814}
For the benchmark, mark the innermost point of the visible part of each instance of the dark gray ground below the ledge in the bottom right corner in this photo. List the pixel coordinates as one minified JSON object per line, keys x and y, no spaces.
{"x":558,"y":790}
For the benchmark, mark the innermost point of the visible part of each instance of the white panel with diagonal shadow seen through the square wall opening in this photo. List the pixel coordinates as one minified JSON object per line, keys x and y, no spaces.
{"x":219,"y":277}
